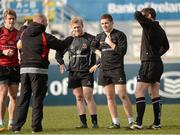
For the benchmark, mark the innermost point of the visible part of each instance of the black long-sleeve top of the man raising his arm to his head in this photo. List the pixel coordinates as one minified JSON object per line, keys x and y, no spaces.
{"x":154,"y":42}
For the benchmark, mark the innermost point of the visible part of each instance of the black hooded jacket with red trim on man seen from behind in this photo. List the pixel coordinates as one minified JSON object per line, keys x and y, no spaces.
{"x":33,"y":46}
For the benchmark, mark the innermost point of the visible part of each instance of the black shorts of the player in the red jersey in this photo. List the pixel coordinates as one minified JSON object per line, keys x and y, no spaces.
{"x":9,"y":75}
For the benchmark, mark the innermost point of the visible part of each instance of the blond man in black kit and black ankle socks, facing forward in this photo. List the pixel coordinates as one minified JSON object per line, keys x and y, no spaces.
{"x":80,"y":79}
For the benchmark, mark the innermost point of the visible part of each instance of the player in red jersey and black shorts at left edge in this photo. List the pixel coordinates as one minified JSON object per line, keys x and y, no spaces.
{"x":9,"y":66}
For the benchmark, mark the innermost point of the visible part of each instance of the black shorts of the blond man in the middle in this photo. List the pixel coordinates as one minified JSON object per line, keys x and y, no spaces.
{"x":80,"y":79}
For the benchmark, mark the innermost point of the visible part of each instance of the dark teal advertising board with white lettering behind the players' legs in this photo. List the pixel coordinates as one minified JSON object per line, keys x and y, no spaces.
{"x":59,"y":94}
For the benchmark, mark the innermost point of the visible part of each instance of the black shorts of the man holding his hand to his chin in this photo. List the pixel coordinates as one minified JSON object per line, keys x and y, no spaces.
{"x":115,"y":76}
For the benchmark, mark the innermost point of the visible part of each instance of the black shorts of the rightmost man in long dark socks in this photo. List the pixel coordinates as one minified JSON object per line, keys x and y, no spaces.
{"x":150,"y":71}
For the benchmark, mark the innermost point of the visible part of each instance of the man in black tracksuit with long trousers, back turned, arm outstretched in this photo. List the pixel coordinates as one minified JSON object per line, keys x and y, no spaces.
{"x":34,"y":71}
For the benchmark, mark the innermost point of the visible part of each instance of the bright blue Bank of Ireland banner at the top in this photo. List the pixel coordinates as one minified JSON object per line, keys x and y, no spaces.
{"x":91,"y":10}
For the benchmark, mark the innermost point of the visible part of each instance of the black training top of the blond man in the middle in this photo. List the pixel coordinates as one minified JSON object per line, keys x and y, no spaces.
{"x":81,"y":57}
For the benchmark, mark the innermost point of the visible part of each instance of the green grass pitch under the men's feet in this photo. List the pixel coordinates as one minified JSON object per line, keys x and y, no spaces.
{"x":63,"y":119}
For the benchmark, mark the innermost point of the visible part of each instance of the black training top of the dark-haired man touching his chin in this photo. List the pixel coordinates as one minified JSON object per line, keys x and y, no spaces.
{"x":111,"y":58}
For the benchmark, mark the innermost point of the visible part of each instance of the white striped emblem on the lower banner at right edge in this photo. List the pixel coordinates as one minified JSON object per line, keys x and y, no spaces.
{"x":171,"y":84}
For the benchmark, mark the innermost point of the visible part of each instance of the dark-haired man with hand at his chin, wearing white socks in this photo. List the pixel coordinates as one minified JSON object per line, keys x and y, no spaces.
{"x":111,"y":46}
